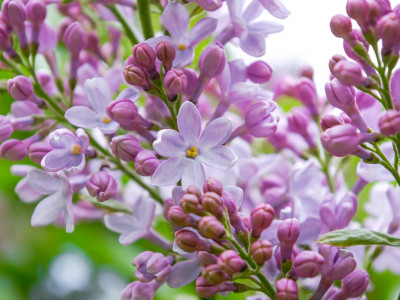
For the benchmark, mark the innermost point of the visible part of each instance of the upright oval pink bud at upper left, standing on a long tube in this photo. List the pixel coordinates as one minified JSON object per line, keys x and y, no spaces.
{"x":75,"y":39}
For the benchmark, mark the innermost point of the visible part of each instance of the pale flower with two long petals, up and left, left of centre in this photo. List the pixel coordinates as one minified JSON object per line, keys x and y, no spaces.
{"x":99,"y":96}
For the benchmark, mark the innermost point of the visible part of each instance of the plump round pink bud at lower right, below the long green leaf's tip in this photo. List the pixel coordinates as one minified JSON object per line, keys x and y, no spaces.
{"x":308,"y":264}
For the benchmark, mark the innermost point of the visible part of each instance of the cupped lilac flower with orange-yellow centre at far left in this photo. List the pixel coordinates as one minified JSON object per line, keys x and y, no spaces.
{"x":69,"y":149}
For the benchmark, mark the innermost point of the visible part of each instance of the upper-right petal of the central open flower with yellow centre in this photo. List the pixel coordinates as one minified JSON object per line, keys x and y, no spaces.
{"x":216,"y":133}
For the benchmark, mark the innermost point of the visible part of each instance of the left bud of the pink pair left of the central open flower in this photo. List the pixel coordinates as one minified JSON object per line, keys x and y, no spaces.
{"x":125,"y":147}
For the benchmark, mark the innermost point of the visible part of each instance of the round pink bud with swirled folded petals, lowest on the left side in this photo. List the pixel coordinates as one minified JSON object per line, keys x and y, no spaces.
{"x":102,"y":186}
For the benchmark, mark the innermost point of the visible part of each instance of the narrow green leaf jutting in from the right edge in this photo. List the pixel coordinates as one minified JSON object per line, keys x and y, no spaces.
{"x":353,"y":237}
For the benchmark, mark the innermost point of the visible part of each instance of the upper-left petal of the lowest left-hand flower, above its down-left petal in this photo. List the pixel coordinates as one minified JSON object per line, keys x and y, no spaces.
{"x":43,"y":183}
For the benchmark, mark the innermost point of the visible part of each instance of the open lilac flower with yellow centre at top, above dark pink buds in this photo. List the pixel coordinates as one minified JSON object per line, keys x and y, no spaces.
{"x":176,"y":20}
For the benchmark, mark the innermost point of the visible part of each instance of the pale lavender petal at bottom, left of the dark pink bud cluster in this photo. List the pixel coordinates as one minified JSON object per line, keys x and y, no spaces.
{"x":183,"y":273}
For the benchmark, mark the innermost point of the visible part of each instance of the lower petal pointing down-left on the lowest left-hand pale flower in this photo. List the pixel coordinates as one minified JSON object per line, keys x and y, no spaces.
{"x":48,"y":210}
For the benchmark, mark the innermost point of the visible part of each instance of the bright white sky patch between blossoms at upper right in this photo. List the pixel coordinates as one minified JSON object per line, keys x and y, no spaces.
{"x":306,"y":39}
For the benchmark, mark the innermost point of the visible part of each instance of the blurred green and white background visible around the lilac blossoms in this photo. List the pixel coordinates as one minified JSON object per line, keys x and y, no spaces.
{"x":47,"y":263}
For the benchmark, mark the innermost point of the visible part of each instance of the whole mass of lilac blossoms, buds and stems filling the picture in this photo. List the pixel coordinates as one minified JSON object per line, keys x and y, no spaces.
{"x":148,"y":125}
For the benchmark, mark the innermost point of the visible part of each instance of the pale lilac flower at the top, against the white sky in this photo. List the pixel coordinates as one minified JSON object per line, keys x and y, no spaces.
{"x":251,"y":33}
